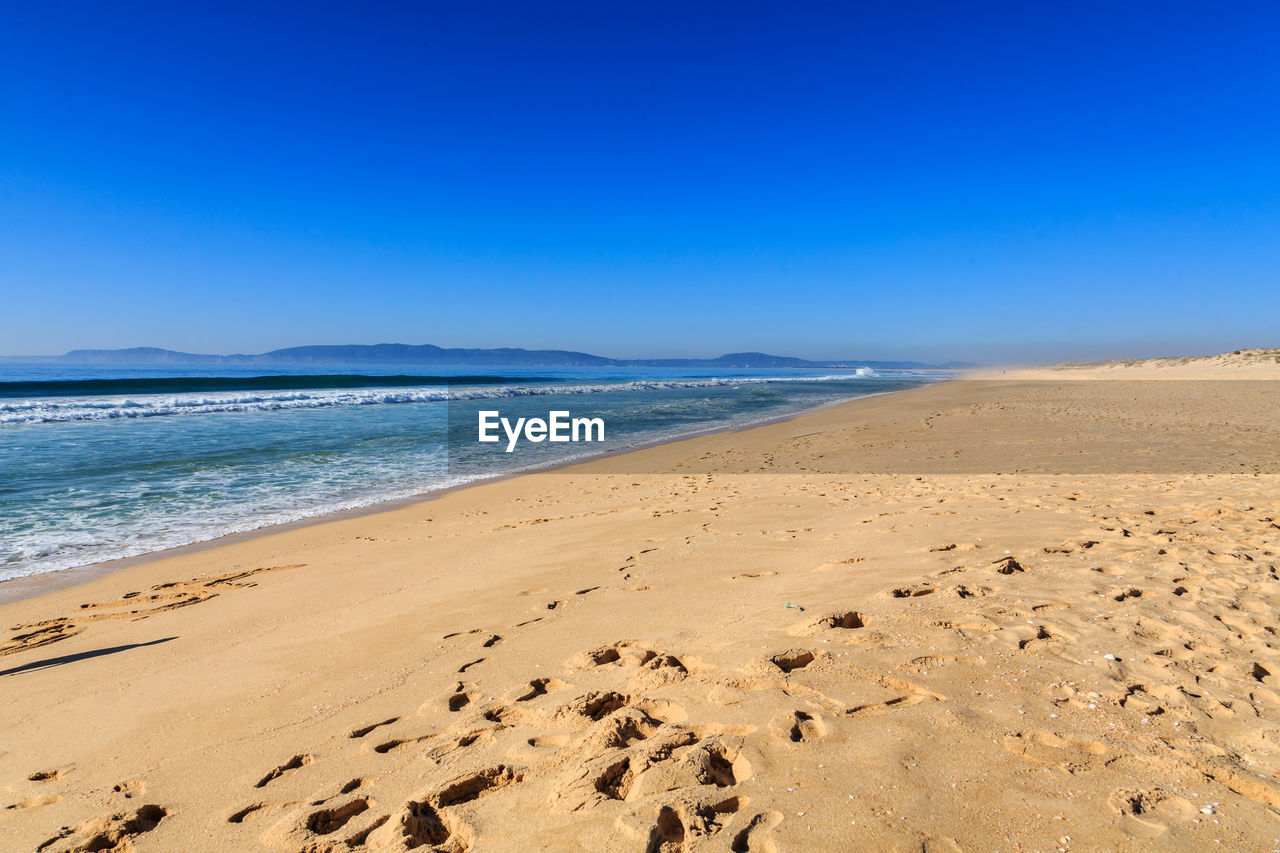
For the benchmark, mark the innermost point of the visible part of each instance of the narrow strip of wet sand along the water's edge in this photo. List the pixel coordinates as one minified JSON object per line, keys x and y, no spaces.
{"x":38,"y":585}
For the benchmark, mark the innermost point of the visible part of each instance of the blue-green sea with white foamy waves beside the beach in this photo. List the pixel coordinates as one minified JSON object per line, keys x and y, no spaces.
{"x":100,"y":463}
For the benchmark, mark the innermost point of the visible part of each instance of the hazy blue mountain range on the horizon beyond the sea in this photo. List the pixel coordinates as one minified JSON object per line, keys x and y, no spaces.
{"x":404,"y":354}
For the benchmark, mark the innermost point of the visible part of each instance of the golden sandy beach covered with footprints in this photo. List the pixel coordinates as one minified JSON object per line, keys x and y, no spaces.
{"x":999,"y":615}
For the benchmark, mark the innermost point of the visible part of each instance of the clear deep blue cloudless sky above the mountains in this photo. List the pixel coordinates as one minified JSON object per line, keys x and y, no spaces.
{"x":890,"y":180}
